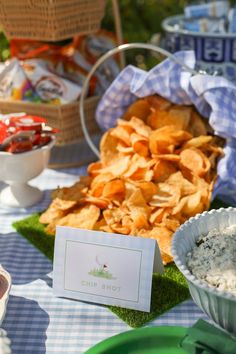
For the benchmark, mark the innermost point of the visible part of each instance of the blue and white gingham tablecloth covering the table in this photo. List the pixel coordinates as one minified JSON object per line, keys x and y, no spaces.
{"x":38,"y":322}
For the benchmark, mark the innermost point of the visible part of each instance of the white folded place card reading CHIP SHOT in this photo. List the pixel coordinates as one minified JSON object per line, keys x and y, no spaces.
{"x":105,"y":268}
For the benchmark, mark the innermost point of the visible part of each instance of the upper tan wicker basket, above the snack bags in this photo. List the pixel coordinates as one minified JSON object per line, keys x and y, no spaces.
{"x":50,"y":20}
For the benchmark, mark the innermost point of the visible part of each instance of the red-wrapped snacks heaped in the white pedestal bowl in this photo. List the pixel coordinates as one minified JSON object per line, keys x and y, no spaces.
{"x":24,"y":132}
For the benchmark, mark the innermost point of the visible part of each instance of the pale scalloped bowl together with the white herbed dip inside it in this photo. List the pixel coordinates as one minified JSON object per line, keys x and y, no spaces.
{"x":208,"y":271}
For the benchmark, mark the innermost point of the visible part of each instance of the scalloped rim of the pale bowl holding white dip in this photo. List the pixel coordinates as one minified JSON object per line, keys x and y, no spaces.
{"x":184,"y":269}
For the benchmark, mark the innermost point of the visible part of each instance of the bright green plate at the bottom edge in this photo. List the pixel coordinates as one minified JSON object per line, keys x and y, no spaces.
{"x":148,"y":340}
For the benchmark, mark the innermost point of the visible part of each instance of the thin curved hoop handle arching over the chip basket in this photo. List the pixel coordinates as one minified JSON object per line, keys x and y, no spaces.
{"x":103,"y":58}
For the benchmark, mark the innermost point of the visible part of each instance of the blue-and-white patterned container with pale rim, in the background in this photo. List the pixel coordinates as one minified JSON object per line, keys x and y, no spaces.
{"x":215,"y":52}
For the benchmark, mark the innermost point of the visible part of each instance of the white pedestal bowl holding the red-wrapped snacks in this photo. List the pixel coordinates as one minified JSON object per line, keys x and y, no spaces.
{"x":17,"y":169}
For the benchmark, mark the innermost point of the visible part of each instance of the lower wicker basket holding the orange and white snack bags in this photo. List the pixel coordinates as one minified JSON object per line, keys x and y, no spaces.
{"x":64,"y":117}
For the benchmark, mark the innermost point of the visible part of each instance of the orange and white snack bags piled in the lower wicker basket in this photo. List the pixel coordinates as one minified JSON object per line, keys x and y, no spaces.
{"x":49,"y":73}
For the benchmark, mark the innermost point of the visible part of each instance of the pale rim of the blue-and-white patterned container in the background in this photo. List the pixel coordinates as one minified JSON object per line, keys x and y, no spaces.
{"x":166,"y":25}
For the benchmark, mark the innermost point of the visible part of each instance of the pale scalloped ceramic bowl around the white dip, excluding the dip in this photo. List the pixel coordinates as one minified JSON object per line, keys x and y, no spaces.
{"x":220,"y":306}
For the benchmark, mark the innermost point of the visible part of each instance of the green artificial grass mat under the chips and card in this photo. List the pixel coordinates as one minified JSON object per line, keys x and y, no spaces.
{"x":168,"y":290}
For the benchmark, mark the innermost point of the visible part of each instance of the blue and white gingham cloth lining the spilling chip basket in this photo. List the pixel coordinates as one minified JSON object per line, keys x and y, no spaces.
{"x":214,"y":98}
